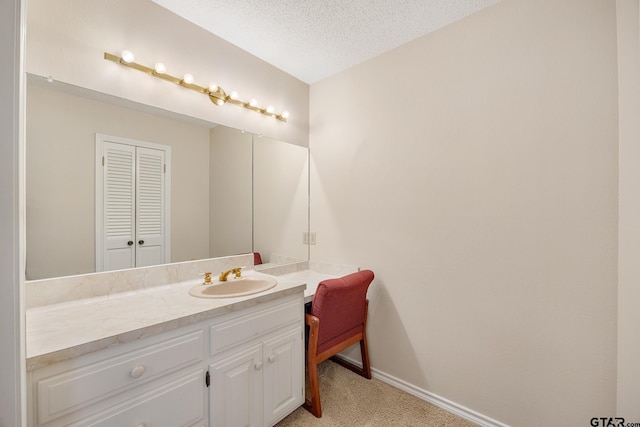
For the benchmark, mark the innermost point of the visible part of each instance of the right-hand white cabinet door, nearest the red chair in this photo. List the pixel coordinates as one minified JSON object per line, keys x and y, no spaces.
{"x":283,"y":375}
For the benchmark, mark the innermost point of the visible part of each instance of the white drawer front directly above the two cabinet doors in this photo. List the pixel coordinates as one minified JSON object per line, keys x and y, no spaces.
{"x":241,"y":328}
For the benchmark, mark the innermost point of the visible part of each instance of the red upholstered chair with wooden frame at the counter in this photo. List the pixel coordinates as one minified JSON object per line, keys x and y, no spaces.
{"x":338,"y":319}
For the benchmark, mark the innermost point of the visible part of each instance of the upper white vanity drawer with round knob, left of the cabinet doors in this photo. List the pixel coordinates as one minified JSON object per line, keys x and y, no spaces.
{"x":76,"y":388}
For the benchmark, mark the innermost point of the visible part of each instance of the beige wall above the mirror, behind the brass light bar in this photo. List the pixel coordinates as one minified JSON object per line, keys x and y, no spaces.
{"x":67,"y":39}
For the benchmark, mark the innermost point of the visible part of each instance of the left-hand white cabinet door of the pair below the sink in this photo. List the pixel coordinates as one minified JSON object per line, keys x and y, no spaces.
{"x":235,"y":395}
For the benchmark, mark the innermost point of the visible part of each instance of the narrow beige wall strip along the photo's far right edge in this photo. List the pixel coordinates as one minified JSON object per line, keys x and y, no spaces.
{"x":629,"y":205}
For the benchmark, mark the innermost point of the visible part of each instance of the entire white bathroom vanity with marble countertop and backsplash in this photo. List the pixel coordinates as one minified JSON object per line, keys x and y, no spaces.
{"x":134,"y":348}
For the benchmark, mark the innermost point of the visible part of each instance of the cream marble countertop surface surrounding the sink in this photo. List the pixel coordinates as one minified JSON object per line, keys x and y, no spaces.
{"x":66,"y":330}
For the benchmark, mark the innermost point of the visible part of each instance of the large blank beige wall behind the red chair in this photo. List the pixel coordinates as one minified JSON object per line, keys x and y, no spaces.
{"x":475,"y":171}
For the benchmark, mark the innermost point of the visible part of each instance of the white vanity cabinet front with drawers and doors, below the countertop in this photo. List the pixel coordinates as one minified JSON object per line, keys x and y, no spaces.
{"x":242,"y":368}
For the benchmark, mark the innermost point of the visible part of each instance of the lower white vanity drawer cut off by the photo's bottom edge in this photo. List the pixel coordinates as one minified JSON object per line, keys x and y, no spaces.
{"x":178,"y":403}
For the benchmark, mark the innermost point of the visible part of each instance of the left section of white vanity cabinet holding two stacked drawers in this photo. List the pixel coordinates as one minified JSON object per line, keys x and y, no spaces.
{"x":154,"y":381}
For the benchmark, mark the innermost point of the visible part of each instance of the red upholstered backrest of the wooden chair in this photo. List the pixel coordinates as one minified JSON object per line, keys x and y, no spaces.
{"x":340,"y":304}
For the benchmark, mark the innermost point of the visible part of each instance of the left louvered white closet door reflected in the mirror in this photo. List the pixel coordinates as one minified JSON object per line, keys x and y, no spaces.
{"x":119,"y":206}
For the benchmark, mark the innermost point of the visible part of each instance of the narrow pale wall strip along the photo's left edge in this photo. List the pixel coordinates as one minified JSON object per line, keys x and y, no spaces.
{"x":12,"y":362}
